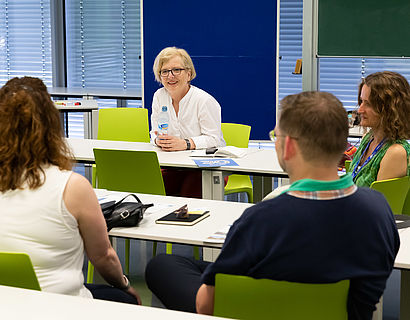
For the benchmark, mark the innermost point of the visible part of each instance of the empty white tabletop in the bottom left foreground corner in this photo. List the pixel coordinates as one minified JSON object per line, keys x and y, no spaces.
{"x":22,"y":304}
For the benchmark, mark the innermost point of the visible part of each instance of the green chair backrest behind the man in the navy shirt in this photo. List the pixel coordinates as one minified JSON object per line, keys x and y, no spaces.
{"x":243,"y":297}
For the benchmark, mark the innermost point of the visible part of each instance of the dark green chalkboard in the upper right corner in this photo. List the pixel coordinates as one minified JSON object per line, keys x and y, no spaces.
{"x":364,"y":28}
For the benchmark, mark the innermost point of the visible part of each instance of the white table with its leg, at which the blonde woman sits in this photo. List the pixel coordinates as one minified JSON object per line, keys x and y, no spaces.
{"x":258,"y":162}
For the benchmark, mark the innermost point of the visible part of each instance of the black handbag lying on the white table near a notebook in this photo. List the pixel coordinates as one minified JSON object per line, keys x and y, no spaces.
{"x":124,"y":214}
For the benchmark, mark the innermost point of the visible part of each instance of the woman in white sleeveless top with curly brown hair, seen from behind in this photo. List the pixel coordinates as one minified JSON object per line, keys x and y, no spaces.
{"x":46,"y":210}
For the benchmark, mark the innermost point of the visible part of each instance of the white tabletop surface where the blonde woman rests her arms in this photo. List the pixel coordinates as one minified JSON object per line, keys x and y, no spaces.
{"x":256,"y":162}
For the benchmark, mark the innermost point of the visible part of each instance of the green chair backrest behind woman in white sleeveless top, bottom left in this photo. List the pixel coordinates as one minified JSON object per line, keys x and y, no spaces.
{"x":16,"y":270}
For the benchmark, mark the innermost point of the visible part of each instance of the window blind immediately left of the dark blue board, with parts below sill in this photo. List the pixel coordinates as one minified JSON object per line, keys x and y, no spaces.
{"x":103,"y":49}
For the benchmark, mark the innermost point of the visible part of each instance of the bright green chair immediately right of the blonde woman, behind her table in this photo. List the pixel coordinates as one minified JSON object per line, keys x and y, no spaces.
{"x":237,"y":135}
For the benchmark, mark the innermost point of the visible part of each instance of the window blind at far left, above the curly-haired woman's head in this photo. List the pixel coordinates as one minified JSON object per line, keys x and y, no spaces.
{"x":25,"y":40}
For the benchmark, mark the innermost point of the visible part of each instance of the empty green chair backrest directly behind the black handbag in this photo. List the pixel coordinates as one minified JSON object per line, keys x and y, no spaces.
{"x":127,"y":170}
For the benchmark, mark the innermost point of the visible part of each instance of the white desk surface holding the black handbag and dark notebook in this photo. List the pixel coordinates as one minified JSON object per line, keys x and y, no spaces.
{"x":222,"y":214}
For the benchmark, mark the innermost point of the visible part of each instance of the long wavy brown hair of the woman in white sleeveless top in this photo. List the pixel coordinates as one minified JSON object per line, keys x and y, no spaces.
{"x":30,"y":134}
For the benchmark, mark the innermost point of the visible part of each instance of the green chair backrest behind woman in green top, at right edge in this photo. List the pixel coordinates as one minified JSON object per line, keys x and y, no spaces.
{"x":394,"y":190}
